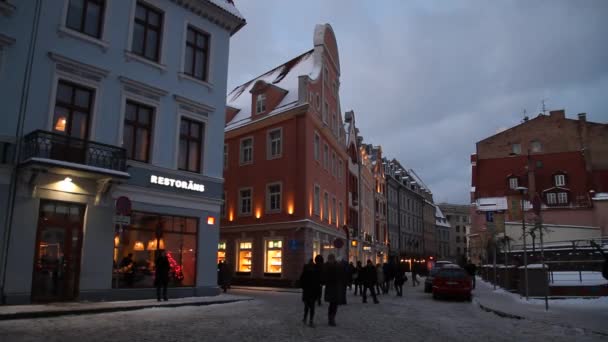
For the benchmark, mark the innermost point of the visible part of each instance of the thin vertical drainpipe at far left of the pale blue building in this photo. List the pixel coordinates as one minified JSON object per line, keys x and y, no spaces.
{"x":17,"y":154}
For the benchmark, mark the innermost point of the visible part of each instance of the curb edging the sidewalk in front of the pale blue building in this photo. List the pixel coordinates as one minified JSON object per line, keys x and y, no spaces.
{"x":75,"y":312}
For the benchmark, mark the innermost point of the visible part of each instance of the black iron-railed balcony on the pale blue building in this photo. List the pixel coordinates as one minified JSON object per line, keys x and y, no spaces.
{"x":64,"y":151}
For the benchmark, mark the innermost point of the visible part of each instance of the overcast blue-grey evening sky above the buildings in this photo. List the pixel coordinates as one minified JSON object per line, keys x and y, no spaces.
{"x":428,"y":79}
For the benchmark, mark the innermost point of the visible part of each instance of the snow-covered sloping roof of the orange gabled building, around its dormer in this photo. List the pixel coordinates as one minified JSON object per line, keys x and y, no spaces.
{"x":285,"y":76}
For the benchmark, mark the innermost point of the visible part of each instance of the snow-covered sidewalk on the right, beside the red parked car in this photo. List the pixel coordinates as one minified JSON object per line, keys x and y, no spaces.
{"x":589,"y":314}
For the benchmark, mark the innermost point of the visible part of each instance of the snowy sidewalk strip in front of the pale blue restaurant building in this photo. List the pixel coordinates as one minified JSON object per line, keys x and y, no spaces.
{"x":79,"y":308}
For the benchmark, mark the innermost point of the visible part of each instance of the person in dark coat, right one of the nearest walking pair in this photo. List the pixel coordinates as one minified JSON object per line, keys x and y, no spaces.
{"x":334,"y":277}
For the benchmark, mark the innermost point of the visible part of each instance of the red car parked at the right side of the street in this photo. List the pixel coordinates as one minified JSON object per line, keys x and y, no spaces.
{"x":452,"y":280}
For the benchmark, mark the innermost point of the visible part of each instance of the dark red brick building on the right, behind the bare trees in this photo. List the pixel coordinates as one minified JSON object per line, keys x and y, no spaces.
{"x":562,"y":161}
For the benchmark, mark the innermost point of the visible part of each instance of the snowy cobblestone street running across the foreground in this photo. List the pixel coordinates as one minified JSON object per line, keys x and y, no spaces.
{"x":276,"y":316}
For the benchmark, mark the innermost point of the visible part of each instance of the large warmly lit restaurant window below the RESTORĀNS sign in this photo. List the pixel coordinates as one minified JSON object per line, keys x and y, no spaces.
{"x":138,"y":246}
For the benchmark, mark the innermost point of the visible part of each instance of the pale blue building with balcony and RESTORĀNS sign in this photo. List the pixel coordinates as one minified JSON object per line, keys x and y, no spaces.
{"x":109,"y":99}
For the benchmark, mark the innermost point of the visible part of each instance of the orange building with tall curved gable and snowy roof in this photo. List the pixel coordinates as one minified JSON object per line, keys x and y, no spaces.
{"x":285,"y":168}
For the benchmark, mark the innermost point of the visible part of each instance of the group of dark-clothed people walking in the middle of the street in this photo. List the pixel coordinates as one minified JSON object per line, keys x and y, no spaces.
{"x":338,"y":276}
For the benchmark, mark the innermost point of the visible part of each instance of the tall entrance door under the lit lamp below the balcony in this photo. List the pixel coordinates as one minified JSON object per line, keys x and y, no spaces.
{"x":58,"y":249}
